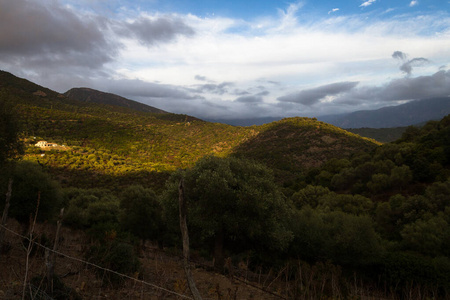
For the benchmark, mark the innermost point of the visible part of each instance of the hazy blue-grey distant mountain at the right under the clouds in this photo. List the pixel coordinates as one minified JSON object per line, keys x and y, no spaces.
{"x":410,"y":113}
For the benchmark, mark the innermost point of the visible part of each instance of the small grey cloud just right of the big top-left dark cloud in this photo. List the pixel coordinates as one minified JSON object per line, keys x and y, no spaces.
{"x":150,"y":32}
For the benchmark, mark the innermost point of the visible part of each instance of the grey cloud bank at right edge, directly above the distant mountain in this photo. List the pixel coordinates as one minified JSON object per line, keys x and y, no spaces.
{"x":436,"y":85}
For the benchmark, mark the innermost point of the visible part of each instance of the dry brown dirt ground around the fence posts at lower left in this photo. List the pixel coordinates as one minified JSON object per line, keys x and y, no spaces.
{"x":161,"y":271}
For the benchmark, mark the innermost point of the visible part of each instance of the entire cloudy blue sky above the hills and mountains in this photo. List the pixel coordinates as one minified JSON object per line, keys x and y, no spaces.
{"x":234,"y":59}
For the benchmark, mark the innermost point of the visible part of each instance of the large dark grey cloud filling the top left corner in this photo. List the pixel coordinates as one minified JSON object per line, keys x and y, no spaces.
{"x":41,"y":32}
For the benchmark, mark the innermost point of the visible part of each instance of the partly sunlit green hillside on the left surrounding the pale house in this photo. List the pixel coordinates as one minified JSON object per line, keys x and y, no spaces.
{"x":110,"y":144}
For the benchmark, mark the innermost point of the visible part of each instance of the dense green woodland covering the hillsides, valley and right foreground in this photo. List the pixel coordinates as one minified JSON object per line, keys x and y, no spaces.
{"x":331,"y":209}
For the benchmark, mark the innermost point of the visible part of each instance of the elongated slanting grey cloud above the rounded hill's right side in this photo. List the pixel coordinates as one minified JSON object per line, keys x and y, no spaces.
{"x":313,"y":96}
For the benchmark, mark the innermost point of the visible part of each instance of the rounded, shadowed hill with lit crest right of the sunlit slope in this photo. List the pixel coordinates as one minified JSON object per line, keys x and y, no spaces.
{"x":294,"y":144}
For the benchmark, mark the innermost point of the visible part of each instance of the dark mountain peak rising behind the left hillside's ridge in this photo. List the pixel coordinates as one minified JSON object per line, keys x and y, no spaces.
{"x":94,"y":96}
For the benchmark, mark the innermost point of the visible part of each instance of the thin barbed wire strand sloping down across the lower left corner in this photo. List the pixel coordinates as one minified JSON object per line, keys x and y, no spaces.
{"x":97,"y":266}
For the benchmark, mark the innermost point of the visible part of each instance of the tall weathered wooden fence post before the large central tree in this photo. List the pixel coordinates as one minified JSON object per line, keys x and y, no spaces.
{"x":185,"y":235}
